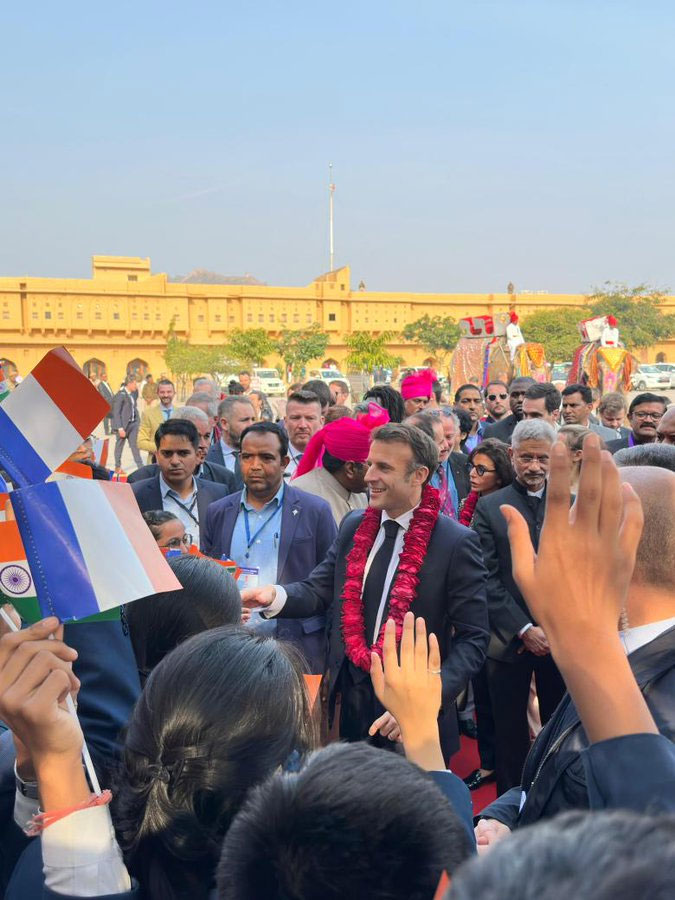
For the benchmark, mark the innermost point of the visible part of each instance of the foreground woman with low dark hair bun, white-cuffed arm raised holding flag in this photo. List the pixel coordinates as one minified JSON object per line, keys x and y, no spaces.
{"x":218,"y":715}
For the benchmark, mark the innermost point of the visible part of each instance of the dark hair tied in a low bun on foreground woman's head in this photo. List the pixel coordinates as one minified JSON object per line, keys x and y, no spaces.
{"x":218,"y":715}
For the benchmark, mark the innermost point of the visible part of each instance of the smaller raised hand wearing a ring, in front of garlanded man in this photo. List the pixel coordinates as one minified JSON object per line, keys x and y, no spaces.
{"x":411,"y":691}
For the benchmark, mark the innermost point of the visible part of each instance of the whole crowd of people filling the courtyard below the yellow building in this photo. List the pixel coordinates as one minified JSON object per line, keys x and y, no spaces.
{"x":496,"y":567}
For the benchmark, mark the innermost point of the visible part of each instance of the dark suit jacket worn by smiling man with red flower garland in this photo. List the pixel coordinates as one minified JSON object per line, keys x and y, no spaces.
{"x":450,"y":597}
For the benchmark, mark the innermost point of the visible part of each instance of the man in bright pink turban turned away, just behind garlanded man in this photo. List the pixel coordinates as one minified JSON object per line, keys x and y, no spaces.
{"x":333,"y":465}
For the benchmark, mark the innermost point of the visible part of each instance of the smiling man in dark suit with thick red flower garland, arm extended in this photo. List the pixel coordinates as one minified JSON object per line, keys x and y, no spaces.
{"x":450,"y":593}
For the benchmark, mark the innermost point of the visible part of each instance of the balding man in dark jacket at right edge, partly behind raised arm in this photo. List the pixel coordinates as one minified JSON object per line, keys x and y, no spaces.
{"x":556,"y":757}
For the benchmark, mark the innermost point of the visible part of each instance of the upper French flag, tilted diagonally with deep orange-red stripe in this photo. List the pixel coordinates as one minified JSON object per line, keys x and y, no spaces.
{"x":46,"y":417}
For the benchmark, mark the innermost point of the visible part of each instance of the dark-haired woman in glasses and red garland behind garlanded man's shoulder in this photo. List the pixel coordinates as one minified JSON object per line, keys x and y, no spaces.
{"x":489,"y":470}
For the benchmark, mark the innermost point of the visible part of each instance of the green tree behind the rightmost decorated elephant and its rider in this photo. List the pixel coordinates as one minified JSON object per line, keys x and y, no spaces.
{"x":637,"y":310}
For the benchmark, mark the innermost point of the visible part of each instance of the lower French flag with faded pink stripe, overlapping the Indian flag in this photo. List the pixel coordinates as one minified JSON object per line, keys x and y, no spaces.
{"x":88,"y":547}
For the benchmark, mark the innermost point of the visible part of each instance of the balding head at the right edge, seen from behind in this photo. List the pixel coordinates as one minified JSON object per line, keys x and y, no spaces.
{"x":656,"y":551}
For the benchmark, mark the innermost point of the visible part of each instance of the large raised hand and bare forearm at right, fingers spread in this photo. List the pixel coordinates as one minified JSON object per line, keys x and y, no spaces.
{"x":576,"y":587}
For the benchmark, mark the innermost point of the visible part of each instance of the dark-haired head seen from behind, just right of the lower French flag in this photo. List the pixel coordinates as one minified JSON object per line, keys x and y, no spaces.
{"x":160,"y":622}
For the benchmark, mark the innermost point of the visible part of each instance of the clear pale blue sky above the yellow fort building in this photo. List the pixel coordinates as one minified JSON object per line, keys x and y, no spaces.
{"x":474,"y":143}
